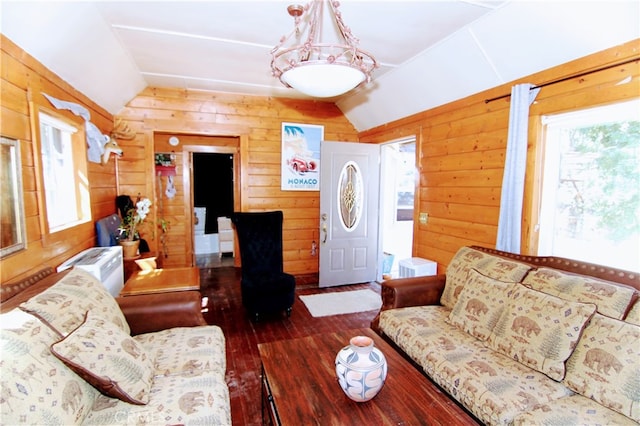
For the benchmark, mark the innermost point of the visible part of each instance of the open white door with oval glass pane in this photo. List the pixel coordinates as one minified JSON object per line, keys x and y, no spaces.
{"x":349,"y":194}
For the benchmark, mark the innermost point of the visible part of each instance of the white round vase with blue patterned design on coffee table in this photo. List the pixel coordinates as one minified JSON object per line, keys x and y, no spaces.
{"x":361,"y":369}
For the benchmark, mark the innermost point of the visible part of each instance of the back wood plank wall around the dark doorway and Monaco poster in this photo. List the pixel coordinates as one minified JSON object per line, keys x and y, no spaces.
{"x":256,"y":123}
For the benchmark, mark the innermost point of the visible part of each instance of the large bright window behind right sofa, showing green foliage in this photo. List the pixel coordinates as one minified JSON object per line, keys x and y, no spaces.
{"x":590,"y":204}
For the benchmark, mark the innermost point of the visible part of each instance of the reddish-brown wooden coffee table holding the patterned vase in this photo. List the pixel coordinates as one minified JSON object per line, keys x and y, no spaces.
{"x":299,"y":386}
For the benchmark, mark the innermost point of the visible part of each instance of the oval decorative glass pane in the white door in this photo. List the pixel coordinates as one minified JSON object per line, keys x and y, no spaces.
{"x":350,"y":194}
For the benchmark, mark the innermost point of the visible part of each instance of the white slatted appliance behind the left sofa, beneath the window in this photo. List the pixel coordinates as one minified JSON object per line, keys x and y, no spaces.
{"x":104,"y":263}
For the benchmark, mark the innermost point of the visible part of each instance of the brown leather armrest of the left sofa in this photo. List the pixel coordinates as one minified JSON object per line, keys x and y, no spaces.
{"x":147,"y":313}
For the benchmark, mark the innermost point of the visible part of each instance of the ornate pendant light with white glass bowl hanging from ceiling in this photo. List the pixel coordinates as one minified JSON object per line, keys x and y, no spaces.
{"x":301,"y":61}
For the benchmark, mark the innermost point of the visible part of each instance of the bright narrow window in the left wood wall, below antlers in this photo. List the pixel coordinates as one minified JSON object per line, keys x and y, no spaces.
{"x":64,"y":176}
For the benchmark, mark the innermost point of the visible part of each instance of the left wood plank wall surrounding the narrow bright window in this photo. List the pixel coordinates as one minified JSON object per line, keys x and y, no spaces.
{"x":20,"y":74}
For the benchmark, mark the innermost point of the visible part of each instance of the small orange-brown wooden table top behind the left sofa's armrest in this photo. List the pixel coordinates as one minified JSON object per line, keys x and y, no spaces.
{"x":162,"y":281}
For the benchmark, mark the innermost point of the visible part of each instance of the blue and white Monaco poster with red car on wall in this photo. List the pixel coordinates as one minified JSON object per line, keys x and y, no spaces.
{"x":301,"y":157}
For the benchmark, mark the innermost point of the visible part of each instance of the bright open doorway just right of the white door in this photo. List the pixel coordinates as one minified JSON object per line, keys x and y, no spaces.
{"x":397,"y":190}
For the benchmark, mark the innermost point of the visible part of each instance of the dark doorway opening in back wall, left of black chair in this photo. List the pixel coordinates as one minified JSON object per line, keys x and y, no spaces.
{"x":213,"y":204}
